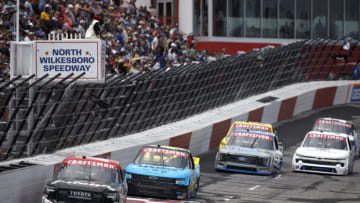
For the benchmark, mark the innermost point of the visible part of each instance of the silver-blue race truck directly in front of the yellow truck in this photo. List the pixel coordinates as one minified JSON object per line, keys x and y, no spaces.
{"x":250,"y":152}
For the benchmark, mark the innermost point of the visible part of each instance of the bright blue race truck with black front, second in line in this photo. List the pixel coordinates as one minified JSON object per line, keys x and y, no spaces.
{"x":164,"y":171}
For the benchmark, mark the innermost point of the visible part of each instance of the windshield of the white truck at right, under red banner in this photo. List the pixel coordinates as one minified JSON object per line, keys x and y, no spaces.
{"x":328,"y":142}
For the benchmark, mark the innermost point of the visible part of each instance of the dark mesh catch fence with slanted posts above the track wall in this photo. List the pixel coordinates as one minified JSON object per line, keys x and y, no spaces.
{"x":45,"y":116}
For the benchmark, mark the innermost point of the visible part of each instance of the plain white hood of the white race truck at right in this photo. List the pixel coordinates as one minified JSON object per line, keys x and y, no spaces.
{"x":322,"y":153}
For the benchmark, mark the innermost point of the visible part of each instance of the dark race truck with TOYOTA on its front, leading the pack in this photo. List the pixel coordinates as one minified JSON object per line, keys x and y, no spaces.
{"x":85,"y":180}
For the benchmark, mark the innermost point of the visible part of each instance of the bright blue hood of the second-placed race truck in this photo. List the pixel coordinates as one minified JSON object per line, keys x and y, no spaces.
{"x":159,"y":171}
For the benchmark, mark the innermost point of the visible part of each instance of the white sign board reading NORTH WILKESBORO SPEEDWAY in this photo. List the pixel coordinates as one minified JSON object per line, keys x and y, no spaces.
{"x":70,"y":56}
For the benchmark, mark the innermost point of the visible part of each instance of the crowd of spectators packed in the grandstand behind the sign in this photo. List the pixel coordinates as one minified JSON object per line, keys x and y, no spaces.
{"x":135,"y":40}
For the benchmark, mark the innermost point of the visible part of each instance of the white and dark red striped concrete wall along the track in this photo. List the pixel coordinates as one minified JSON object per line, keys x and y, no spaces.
{"x":199,"y":133}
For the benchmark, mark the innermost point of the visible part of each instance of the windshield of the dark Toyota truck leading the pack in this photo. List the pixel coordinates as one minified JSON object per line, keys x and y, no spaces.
{"x":88,"y":173}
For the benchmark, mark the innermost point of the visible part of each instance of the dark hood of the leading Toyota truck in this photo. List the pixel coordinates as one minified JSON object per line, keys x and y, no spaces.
{"x":88,"y":186}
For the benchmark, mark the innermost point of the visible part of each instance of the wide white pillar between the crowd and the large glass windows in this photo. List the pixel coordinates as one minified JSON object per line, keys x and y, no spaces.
{"x":186,"y":16}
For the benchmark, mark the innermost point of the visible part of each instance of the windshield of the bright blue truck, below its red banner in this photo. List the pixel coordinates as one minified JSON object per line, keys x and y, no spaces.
{"x":163,"y":157}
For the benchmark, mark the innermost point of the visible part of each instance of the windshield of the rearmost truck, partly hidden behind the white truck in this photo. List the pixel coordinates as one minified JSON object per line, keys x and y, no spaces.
{"x":333,"y":126}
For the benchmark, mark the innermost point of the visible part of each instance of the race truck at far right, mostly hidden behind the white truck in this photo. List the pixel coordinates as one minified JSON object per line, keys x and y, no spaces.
{"x":339,"y":126}
